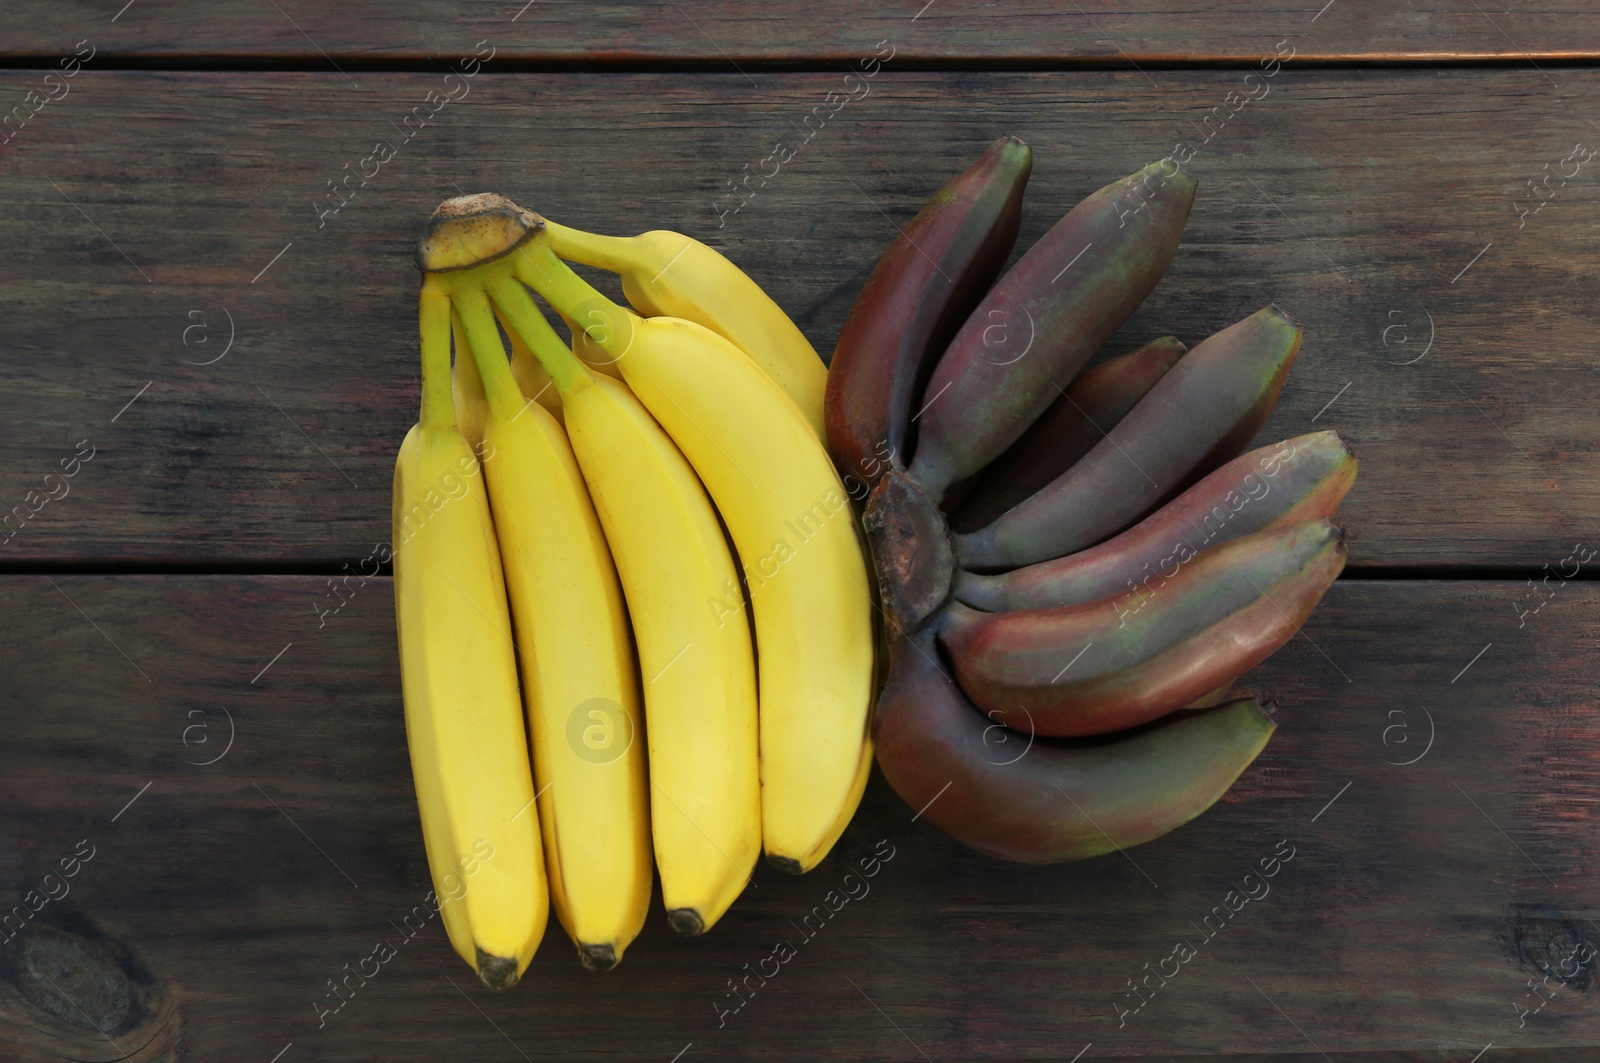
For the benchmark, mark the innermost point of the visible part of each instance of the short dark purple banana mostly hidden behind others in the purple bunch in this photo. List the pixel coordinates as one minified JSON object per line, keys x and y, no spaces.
{"x":1090,"y":407}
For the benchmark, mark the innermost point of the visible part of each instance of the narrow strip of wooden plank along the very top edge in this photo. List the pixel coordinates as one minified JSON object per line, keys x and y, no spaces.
{"x":721,"y":34}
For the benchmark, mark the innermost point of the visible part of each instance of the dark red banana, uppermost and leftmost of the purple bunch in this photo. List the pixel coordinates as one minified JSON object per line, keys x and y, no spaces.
{"x":919,"y":294}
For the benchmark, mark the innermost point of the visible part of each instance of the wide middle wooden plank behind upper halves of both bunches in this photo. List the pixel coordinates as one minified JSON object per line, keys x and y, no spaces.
{"x":151,"y":219}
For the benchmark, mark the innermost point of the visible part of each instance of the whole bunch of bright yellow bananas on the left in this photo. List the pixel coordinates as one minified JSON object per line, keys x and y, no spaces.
{"x":594,"y":556}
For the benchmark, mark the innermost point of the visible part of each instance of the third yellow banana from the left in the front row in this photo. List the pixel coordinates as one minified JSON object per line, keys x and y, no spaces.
{"x":694,"y":640}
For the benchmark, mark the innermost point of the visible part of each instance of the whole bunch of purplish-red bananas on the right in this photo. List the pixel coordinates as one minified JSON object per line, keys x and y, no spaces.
{"x":1074,"y":564}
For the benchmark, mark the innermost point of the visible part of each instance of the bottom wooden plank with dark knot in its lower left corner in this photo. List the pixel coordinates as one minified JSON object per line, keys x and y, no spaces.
{"x":242,"y":780}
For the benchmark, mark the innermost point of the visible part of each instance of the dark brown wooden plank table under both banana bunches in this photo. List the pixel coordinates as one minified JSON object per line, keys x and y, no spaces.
{"x":226,"y":366}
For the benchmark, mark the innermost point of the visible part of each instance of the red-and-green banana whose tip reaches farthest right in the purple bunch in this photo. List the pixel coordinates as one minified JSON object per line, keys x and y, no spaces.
{"x":1300,"y":479}
